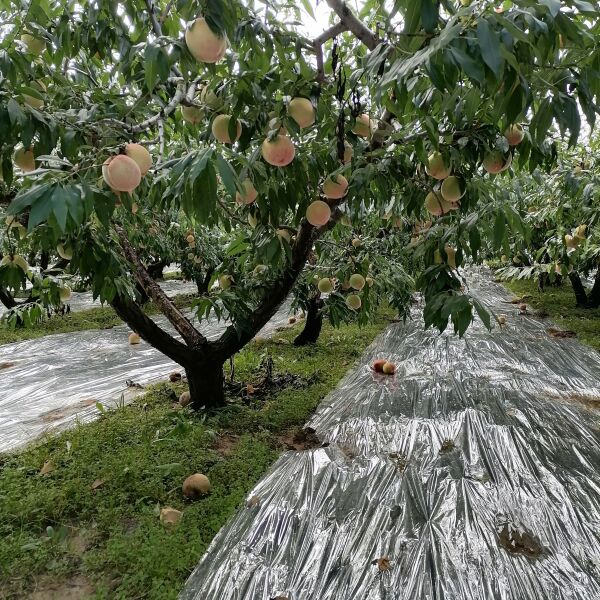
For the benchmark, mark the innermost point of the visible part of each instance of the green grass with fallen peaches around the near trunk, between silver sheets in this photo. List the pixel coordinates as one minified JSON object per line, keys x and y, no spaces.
{"x":111,"y":537}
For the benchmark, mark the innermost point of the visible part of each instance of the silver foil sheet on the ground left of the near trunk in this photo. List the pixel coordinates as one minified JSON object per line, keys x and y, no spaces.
{"x":50,"y":382}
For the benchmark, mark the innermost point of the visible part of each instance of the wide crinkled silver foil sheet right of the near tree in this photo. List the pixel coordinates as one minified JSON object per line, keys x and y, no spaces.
{"x":472,"y":474}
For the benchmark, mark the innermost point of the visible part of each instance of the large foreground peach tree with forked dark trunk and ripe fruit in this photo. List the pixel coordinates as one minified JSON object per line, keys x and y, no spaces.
{"x":112,"y":113}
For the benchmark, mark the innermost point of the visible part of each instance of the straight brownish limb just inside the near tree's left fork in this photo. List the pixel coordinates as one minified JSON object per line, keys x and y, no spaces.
{"x":183,"y":326}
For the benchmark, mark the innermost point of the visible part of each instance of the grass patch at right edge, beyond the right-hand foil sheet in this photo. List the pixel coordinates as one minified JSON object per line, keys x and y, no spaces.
{"x":559,"y":303}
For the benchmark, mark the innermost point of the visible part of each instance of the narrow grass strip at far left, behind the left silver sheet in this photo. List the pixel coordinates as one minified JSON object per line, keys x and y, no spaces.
{"x":102,"y":317}
